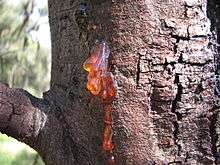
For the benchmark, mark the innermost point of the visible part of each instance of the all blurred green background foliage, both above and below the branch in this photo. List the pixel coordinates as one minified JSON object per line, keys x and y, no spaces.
{"x":24,"y":63}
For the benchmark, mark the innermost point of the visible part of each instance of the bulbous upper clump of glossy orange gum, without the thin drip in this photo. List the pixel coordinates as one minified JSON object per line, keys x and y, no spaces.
{"x":100,"y":80}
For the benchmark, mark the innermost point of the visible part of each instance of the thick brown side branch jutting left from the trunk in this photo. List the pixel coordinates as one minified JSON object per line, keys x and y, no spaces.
{"x":22,"y":115}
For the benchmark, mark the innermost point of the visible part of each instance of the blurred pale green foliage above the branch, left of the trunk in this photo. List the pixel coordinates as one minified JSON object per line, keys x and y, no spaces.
{"x":23,"y":61}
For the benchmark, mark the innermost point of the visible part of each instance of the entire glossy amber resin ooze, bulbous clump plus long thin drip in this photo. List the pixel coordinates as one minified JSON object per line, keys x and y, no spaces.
{"x":101,"y":83}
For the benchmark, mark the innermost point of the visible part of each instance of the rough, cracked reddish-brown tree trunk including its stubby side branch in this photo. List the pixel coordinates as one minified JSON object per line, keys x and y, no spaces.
{"x":164,"y":57}
